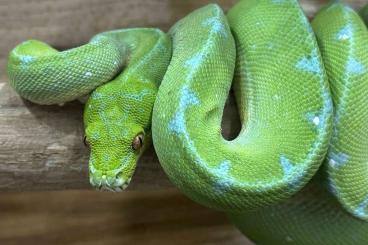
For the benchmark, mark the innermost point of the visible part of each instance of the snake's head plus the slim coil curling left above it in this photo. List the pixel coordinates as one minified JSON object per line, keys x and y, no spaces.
{"x":117,"y":113}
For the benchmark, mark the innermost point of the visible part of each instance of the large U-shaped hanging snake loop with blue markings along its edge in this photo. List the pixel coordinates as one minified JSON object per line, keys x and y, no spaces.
{"x":284,"y":102}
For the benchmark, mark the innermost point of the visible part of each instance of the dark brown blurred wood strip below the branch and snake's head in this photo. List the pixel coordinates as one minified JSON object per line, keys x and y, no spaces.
{"x":92,"y":218}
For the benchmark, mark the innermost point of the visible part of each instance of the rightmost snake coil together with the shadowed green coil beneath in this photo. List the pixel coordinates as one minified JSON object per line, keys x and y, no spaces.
{"x":332,"y":209}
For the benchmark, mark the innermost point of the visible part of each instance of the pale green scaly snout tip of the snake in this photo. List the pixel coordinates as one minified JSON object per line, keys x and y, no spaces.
{"x":109,"y":183}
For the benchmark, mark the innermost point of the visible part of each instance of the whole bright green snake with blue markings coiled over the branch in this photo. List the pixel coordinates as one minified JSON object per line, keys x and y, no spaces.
{"x":297,"y":171}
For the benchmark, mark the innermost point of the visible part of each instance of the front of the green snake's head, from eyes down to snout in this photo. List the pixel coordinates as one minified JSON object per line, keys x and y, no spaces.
{"x":115,"y":150}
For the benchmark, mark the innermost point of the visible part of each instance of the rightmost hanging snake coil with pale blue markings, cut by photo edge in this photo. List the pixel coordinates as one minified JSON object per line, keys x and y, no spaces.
{"x":343,"y":40}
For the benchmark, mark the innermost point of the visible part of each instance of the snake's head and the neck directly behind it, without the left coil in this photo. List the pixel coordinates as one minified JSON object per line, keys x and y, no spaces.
{"x":118,"y":111}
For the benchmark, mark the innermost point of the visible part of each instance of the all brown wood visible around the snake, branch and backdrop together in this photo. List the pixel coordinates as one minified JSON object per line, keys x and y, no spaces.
{"x":44,"y":191}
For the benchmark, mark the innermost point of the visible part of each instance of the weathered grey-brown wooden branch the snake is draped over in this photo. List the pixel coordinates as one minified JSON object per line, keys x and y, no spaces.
{"x":41,"y":147}
